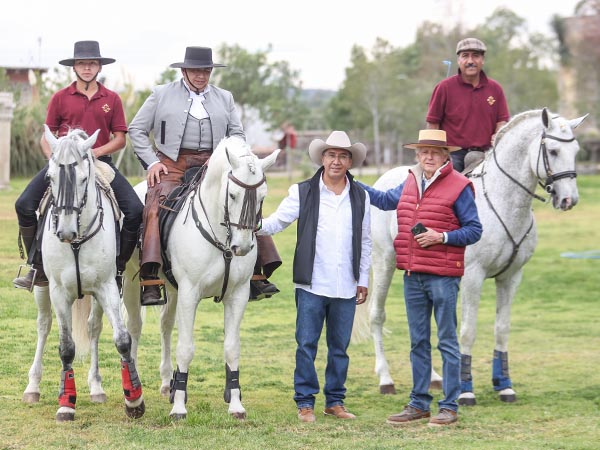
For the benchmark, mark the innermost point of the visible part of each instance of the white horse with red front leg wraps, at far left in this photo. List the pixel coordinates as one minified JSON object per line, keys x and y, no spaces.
{"x":79,"y":251}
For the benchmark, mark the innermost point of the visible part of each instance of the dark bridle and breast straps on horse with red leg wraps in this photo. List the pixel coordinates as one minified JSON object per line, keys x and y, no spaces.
{"x":66,"y":201}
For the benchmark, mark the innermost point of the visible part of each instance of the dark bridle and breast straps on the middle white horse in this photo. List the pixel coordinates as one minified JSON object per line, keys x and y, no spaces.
{"x":248,"y":220}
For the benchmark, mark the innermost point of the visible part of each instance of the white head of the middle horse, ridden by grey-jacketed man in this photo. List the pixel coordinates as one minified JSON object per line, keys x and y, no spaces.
{"x":243,"y":189}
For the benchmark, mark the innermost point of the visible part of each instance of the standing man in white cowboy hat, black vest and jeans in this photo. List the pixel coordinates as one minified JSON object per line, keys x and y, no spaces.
{"x":331,"y":266}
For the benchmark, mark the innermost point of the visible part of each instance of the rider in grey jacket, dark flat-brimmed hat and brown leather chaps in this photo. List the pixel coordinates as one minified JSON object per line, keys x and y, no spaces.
{"x":187,"y":118}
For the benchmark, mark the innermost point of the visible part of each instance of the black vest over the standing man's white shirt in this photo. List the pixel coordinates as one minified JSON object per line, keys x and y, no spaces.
{"x":308,"y":219}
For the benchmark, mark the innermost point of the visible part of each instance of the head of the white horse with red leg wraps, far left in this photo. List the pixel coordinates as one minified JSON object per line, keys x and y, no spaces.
{"x":70,"y":172}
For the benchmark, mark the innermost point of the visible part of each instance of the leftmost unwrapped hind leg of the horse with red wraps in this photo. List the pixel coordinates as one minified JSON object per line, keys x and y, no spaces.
{"x":44,"y":324}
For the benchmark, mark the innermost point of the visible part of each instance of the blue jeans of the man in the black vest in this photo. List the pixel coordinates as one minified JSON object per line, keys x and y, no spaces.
{"x":338,"y":314}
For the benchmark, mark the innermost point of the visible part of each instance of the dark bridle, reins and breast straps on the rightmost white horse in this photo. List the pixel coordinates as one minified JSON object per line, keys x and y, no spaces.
{"x":550,"y":178}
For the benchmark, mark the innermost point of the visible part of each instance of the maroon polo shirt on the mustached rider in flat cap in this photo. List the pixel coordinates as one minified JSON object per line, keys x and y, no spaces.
{"x":468,"y":114}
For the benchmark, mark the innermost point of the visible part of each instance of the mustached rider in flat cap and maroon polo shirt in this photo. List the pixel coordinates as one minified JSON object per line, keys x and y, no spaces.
{"x":469,"y":106}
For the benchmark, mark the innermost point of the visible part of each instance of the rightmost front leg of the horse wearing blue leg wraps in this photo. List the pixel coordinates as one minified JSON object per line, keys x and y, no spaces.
{"x":505,"y":291}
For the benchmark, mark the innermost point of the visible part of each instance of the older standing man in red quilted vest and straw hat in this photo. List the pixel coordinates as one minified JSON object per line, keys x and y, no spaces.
{"x":437,"y":219}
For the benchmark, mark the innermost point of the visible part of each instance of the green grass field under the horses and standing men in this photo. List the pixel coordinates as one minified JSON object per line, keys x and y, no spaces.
{"x":554,"y":360}
